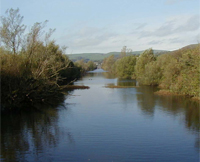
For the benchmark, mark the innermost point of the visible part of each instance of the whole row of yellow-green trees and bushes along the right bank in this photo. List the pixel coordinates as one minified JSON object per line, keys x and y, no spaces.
{"x":175,"y":72}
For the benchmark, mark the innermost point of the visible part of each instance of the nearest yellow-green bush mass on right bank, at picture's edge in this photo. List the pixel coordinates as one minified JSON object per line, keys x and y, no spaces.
{"x":185,"y":72}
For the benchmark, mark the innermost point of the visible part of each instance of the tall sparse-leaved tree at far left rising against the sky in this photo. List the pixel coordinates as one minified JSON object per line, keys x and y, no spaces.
{"x":12,"y":29}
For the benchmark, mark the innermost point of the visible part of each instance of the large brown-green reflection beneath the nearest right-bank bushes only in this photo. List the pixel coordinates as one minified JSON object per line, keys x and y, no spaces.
{"x":173,"y":105}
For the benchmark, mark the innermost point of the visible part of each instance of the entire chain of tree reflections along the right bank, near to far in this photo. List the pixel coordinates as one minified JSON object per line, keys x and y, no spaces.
{"x":148,"y":102}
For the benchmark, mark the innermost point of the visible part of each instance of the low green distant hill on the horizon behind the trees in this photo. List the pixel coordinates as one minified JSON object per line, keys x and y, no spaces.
{"x":100,"y":56}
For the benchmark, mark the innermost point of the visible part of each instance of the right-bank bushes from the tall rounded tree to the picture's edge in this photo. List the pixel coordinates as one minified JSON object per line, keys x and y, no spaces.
{"x":177,"y":71}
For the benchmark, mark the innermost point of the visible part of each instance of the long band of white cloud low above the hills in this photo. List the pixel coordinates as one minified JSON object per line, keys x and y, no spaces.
{"x":174,"y":33}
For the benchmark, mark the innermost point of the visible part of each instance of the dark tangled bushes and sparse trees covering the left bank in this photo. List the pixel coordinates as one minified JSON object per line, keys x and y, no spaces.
{"x":33,"y":67}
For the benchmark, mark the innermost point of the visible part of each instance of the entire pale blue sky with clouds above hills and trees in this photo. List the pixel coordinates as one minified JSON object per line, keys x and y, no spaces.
{"x":108,"y":25}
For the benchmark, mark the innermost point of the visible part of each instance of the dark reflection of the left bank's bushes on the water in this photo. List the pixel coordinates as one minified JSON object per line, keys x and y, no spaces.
{"x":26,"y":134}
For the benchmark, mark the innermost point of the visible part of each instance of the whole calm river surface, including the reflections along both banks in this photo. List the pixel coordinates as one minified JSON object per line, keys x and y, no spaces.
{"x":104,"y":124}
